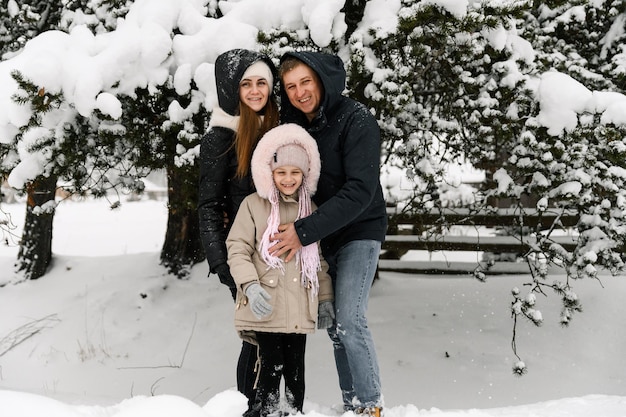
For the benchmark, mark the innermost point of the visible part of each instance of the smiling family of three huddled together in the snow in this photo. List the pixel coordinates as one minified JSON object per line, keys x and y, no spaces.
{"x":292,"y":218}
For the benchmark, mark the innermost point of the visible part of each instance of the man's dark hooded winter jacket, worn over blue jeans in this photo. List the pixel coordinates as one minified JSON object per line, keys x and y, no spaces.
{"x":349,"y":195}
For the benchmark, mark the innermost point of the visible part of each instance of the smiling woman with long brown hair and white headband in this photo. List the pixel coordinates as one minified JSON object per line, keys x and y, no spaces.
{"x":247,"y":109}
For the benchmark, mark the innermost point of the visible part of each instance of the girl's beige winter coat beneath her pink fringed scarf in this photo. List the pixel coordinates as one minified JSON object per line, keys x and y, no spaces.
{"x":293,"y":309}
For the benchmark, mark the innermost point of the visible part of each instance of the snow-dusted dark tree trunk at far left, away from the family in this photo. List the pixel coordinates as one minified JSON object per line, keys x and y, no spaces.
{"x":35,"y":253}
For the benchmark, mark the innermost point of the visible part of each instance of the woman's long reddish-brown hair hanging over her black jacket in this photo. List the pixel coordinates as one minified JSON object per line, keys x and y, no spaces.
{"x":250,"y":131}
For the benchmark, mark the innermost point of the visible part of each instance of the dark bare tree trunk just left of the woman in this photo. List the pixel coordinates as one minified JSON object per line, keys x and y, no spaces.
{"x":182,"y":247}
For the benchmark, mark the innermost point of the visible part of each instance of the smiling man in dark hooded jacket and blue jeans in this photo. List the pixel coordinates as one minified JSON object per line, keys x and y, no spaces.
{"x":351,"y":220}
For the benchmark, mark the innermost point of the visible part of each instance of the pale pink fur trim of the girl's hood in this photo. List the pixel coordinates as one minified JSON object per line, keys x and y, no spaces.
{"x":279,"y":136}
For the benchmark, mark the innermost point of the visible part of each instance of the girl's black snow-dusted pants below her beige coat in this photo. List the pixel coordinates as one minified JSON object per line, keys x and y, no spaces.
{"x":282,"y":355}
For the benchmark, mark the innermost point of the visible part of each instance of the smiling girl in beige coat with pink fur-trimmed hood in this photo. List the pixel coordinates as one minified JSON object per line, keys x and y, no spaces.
{"x":278,"y":300}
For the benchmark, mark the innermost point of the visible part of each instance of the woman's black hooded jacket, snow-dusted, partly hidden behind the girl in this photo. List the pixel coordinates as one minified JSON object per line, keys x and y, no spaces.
{"x":220,"y":192}
